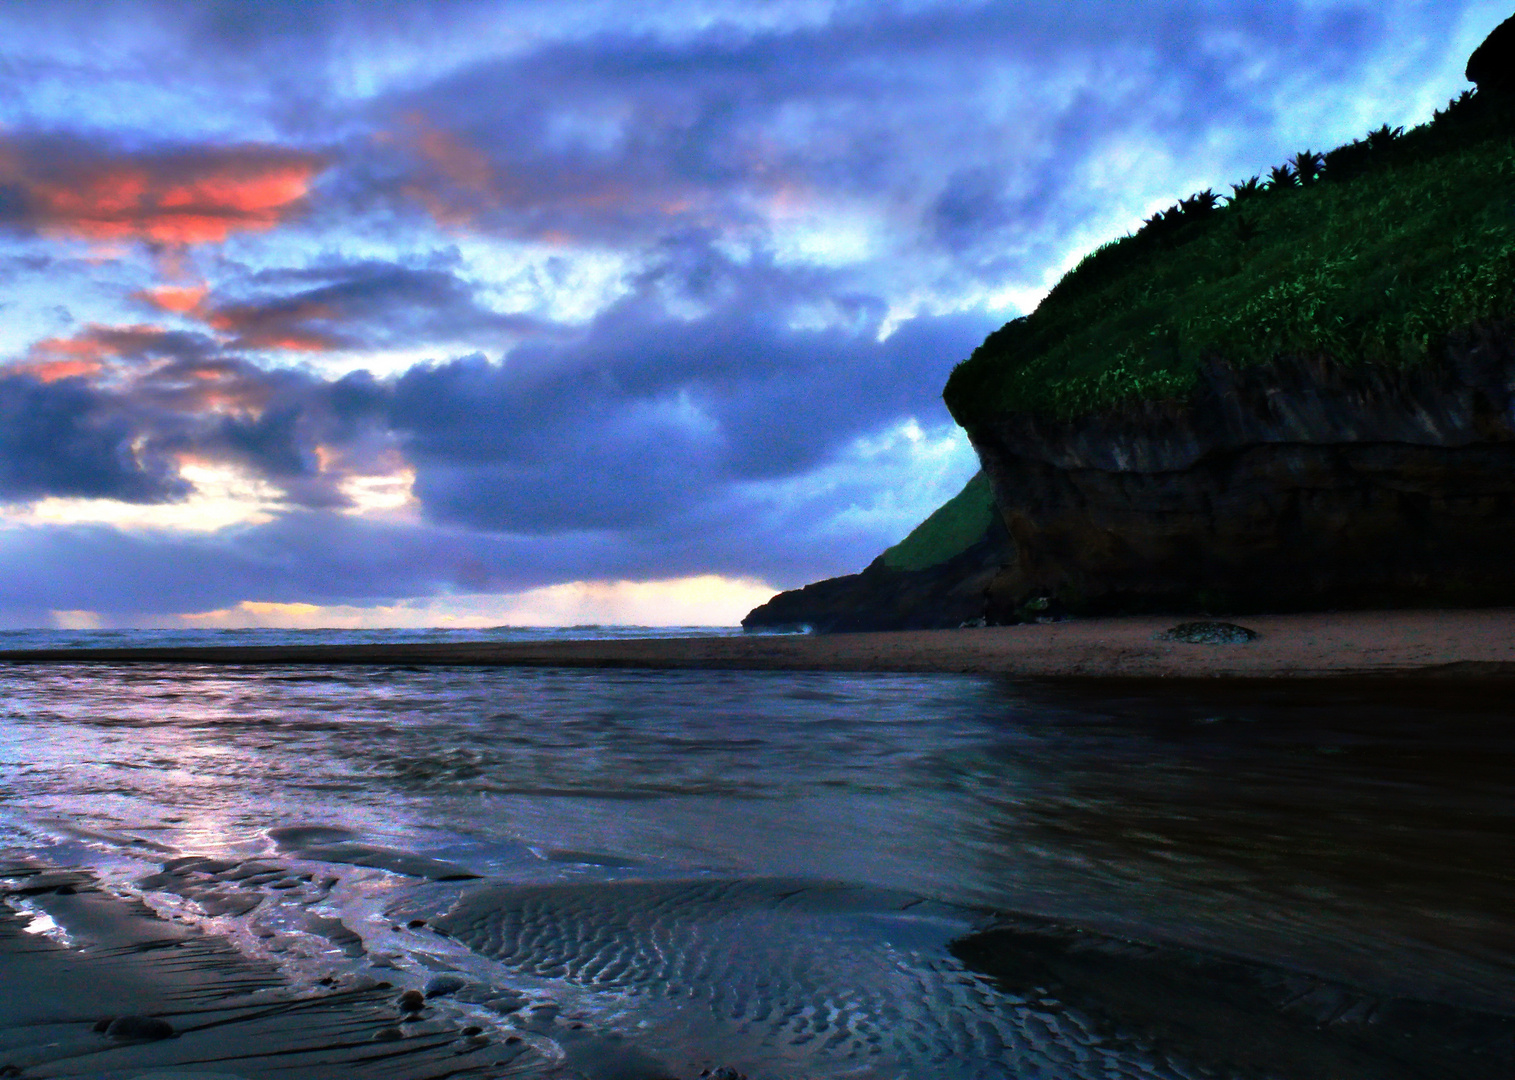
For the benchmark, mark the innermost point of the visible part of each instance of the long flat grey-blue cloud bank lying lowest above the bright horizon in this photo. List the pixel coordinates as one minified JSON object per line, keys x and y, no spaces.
{"x":325,"y":558}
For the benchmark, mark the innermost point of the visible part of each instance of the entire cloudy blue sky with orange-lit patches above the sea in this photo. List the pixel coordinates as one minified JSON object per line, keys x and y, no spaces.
{"x":540,"y":313}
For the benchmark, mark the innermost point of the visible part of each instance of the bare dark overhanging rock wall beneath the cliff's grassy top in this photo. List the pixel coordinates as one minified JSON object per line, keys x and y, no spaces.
{"x":1295,"y":485}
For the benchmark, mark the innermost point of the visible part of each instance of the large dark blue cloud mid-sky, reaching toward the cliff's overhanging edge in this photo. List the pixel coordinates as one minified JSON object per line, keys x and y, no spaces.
{"x":646,"y":414}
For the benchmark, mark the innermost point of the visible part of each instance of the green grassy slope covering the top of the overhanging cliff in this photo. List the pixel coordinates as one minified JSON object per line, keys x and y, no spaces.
{"x":1370,"y":254}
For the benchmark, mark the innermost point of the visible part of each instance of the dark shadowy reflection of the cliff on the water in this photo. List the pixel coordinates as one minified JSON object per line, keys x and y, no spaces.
{"x":1352,"y":828}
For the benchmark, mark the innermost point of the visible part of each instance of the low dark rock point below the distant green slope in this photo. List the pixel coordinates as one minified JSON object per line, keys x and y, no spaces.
{"x":945,"y":596}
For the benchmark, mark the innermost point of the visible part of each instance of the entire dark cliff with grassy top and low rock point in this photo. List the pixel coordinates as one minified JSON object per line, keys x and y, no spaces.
{"x":1299,"y":396}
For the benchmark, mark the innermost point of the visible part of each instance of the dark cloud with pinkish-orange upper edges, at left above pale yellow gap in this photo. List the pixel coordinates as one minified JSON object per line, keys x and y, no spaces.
{"x":114,"y":413}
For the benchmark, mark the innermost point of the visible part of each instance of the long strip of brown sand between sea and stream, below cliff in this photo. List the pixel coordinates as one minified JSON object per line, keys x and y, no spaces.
{"x":1437,"y":645}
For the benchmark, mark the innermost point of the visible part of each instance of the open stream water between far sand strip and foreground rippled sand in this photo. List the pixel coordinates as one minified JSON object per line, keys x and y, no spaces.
{"x":1351,"y":829}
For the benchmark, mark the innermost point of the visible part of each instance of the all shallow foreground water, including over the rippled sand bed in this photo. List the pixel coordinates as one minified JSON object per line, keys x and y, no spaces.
{"x":769,"y":870}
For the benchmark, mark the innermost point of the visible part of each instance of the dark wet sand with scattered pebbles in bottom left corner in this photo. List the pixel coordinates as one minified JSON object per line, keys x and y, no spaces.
{"x":136,"y":997}
